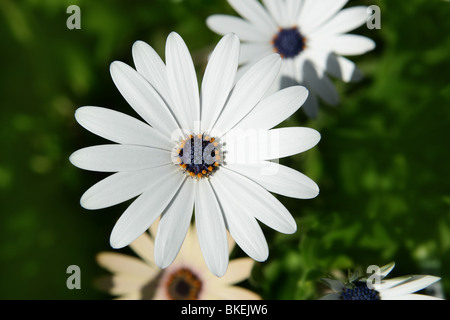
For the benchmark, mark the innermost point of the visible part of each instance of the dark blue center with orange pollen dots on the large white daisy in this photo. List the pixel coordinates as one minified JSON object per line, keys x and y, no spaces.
{"x":198,"y":155}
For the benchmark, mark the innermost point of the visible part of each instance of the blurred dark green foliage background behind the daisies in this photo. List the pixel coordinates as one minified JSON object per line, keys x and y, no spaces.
{"x":382,"y":164}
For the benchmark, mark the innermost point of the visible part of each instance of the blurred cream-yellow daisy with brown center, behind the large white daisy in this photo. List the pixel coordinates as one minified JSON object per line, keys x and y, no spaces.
{"x":187,"y":278}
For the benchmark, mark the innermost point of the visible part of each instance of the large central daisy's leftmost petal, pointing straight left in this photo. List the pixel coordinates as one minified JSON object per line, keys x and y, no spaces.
{"x":119,"y":157}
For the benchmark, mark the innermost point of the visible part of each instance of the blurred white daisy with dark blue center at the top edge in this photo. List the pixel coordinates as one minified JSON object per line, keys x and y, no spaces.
{"x":310,"y":35}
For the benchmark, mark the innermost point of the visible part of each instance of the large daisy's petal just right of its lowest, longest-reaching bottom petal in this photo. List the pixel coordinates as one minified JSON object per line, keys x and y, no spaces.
{"x":241,"y":224}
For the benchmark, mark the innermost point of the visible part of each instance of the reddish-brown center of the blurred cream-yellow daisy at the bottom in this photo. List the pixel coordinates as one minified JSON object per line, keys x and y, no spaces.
{"x":183,"y":284}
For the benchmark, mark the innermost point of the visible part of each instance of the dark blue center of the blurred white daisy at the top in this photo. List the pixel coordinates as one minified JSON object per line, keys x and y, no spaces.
{"x":288,"y":42}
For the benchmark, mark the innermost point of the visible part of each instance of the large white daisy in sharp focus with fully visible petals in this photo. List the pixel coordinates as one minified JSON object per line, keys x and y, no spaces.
{"x":209,"y":151}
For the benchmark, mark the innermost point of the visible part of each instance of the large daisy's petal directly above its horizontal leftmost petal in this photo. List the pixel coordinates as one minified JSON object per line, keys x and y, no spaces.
{"x":121,"y":128}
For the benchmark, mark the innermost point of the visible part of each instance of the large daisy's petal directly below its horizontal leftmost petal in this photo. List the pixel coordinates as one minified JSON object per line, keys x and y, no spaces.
{"x":120,"y":187}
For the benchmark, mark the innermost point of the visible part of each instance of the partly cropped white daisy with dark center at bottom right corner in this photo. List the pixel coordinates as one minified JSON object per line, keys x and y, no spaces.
{"x":400,"y":288}
